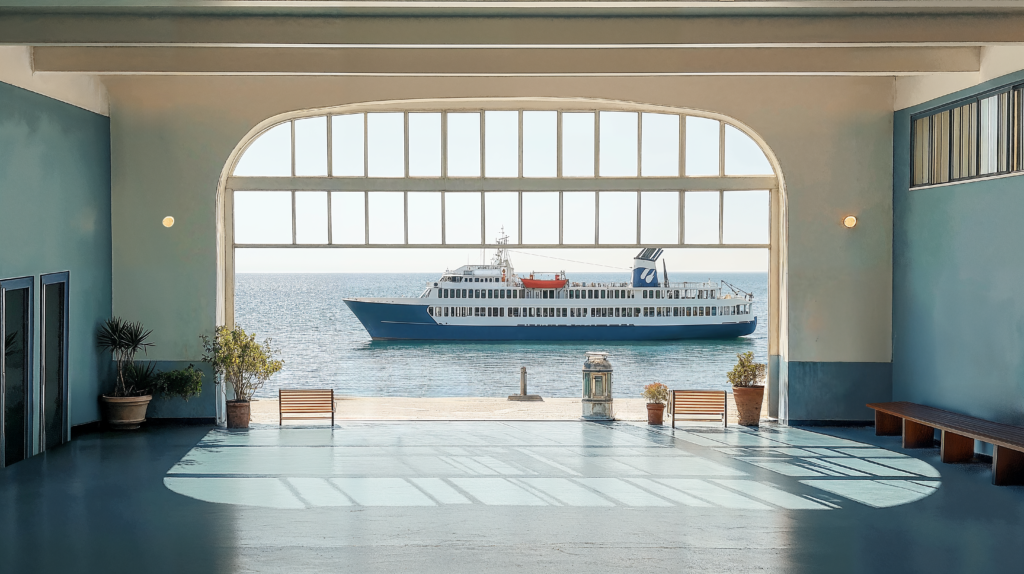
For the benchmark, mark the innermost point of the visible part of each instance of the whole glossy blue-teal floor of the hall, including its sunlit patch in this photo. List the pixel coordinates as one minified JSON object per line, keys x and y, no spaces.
{"x":502,"y":497}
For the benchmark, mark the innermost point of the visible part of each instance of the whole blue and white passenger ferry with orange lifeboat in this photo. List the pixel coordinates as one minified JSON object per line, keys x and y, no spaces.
{"x":492,"y":303}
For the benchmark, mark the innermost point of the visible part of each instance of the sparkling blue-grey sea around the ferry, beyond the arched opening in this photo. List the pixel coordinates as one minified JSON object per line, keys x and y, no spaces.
{"x":325,"y":346}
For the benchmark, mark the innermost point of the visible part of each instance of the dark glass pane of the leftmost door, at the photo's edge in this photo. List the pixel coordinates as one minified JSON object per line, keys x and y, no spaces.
{"x":17,"y":363}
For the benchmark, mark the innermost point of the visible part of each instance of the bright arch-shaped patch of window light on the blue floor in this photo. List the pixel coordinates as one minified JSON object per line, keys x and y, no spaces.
{"x":547,"y":464}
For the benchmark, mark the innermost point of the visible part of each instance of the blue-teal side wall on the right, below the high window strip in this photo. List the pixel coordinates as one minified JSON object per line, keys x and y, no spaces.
{"x":958,"y":278}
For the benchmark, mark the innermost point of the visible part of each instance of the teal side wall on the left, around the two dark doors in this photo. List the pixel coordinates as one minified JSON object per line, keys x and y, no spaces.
{"x":56,"y":216}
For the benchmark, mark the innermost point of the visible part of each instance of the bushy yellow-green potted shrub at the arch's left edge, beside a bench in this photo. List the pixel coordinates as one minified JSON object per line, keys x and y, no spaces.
{"x":245,"y":365}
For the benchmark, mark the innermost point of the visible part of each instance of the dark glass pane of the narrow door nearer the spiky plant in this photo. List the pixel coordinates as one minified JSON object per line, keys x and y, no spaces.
{"x":54,"y":368}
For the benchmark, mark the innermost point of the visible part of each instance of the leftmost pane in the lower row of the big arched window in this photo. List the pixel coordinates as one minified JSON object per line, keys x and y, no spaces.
{"x":263,"y":217}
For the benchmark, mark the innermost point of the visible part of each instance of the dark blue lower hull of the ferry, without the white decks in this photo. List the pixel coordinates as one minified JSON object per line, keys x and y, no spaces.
{"x":393,"y":322}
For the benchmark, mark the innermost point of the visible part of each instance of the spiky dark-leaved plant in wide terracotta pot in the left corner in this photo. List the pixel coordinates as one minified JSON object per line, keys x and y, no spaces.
{"x":125,"y":409}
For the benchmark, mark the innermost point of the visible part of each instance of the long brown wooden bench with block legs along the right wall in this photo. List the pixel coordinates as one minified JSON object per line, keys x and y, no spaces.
{"x":918,"y":423}
